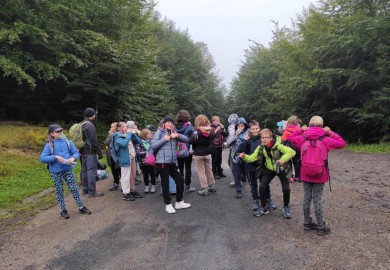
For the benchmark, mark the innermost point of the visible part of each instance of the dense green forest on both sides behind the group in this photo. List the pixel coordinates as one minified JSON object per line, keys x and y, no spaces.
{"x":122,"y":58}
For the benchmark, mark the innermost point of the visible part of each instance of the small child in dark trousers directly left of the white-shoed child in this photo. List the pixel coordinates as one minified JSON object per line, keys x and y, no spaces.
{"x":142,"y":149}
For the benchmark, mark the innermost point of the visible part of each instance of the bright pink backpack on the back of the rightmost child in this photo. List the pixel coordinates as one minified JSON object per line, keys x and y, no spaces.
{"x":314,"y":157}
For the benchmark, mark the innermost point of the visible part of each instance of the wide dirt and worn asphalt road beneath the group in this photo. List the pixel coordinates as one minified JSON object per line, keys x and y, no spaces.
{"x":217,"y":232}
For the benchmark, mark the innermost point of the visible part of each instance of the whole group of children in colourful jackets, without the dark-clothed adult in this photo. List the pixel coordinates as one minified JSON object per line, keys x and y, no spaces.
{"x":256,"y":156}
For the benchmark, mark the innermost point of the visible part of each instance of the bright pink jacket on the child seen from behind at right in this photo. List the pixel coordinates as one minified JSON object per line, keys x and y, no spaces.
{"x":333,"y":141}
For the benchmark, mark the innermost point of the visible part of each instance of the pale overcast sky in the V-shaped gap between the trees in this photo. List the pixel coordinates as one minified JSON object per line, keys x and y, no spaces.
{"x":227,"y":26}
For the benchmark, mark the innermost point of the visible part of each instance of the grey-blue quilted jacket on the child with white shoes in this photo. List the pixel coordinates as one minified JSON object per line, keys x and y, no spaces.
{"x":165,"y":151}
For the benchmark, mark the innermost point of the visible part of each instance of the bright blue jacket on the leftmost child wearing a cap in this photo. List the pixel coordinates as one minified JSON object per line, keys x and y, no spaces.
{"x":60,"y":148}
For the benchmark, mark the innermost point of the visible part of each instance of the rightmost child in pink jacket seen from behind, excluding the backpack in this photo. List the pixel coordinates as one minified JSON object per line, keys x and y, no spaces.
{"x":313,"y":186}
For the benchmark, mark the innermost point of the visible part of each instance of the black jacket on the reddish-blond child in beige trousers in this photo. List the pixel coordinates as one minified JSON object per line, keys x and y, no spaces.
{"x":201,"y":142}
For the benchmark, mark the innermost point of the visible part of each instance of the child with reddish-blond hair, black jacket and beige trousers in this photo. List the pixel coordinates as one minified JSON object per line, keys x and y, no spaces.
{"x":201,"y":141}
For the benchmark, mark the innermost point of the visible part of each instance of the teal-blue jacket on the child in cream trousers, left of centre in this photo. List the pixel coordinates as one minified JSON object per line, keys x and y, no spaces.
{"x":121,"y":145}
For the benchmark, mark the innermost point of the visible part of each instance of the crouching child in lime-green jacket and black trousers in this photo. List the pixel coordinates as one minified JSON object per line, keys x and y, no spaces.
{"x":276,"y":155}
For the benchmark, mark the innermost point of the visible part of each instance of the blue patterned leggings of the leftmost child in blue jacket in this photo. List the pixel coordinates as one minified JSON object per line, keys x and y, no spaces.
{"x":68,"y":176}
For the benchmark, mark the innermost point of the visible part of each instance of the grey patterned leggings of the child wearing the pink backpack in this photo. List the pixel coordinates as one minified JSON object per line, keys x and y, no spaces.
{"x":312,"y":191}
